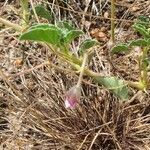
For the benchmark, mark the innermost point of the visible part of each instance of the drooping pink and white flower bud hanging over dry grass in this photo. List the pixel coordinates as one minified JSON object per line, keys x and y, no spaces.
{"x":72,"y":97}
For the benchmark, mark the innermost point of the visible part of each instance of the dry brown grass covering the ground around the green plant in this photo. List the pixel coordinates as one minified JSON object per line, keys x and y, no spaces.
{"x":33,"y":115}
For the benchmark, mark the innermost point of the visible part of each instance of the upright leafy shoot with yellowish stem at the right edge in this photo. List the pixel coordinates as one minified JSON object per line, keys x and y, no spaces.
{"x":143,"y":28}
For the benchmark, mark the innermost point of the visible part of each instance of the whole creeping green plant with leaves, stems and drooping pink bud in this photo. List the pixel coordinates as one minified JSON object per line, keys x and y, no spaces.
{"x":59,"y":38}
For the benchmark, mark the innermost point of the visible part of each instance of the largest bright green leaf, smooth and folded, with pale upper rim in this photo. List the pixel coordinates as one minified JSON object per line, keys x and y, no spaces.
{"x":43,"y":33}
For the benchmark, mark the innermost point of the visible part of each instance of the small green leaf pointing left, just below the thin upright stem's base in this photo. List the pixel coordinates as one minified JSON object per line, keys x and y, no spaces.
{"x":120,"y":48}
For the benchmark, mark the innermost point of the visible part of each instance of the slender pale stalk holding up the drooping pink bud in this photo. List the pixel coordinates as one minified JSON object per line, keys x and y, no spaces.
{"x":85,"y":57}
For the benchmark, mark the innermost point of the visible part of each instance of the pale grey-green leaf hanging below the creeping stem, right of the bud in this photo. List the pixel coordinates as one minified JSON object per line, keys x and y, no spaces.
{"x":117,"y":86}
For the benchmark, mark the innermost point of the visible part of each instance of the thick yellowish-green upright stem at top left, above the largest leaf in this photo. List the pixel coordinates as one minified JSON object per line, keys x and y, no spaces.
{"x":25,"y":9}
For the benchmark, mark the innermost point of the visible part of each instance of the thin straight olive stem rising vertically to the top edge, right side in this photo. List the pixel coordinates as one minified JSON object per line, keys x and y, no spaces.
{"x":112,"y":20}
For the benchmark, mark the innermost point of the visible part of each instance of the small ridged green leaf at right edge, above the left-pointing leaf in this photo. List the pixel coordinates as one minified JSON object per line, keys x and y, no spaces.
{"x":142,"y":30}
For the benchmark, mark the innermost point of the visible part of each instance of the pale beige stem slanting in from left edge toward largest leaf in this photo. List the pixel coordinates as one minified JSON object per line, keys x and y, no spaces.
{"x":10,"y":24}
